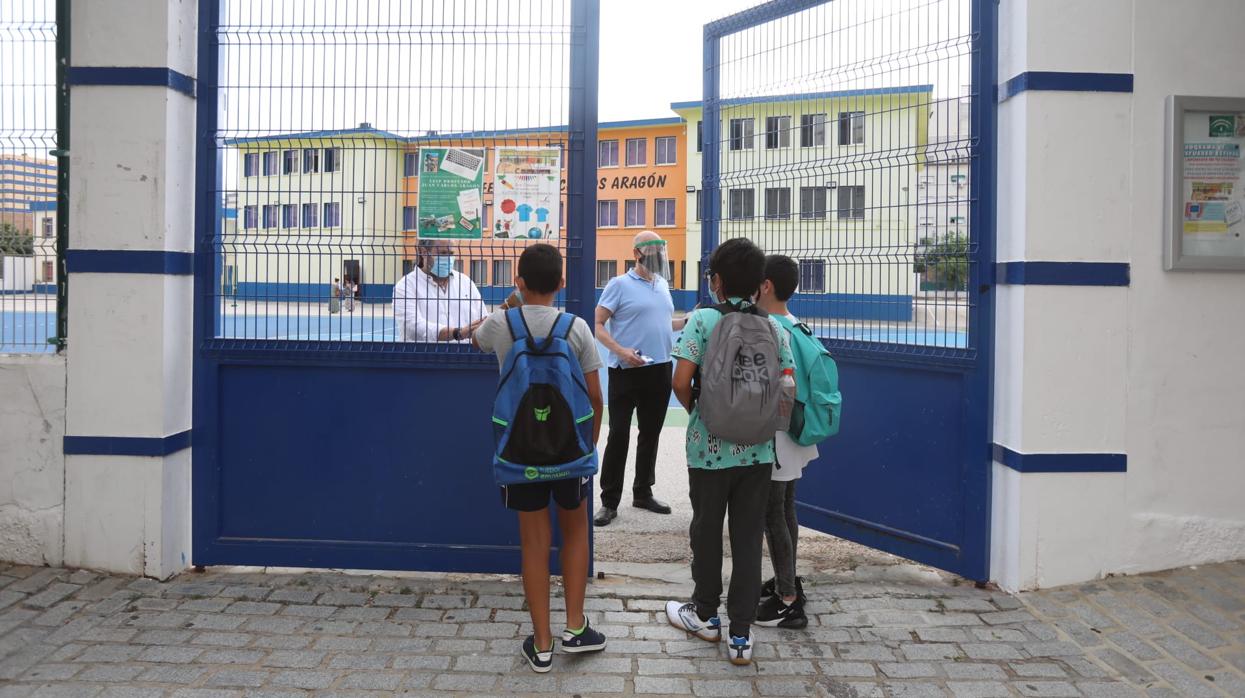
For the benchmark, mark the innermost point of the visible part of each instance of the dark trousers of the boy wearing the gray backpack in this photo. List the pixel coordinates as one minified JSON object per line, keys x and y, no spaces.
{"x":743,"y":492}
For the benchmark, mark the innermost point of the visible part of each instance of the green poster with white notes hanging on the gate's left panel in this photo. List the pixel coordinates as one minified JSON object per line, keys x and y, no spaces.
{"x":451,"y":202}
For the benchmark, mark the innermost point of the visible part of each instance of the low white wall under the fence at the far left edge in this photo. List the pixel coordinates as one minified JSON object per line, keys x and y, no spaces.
{"x":32,"y":462}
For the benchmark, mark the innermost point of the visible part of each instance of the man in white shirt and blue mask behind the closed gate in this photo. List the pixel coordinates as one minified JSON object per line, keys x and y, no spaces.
{"x":434,"y":303}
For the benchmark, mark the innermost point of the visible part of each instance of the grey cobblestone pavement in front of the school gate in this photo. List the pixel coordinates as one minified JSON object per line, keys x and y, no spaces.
{"x":228,"y":634}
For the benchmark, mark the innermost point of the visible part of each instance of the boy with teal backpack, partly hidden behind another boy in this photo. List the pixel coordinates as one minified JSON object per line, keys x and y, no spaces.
{"x":815,"y":417}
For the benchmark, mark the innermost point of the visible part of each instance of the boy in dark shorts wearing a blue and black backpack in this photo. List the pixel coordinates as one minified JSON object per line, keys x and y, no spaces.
{"x":547,"y":419}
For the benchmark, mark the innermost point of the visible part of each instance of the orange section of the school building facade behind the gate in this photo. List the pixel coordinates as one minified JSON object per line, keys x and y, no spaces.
{"x":642,"y":184}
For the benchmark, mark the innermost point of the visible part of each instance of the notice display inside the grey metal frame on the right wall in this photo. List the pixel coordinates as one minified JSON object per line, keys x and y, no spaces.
{"x":1213,"y":221}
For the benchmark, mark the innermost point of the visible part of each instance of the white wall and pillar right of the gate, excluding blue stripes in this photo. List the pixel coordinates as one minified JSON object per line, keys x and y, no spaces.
{"x":1152,"y":370}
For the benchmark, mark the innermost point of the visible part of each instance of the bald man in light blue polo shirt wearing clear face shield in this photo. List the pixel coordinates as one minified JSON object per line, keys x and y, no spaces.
{"x":636,"y":323}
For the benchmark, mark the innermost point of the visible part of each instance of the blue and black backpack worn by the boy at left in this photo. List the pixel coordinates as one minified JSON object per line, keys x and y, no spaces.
{"x":542,"y":416}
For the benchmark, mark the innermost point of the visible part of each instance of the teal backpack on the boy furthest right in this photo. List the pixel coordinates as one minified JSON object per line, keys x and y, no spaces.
{"x":819,"y":403}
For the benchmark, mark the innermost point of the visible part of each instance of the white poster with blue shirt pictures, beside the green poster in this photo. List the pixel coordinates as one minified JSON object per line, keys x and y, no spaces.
{"x":527,"y":184}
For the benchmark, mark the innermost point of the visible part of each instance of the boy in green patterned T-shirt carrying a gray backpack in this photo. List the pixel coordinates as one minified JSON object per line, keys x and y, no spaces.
{"x":731,"y":360}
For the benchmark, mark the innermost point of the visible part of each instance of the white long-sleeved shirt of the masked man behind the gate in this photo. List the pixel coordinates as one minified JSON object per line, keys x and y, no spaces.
{"x":423,"y":308}
